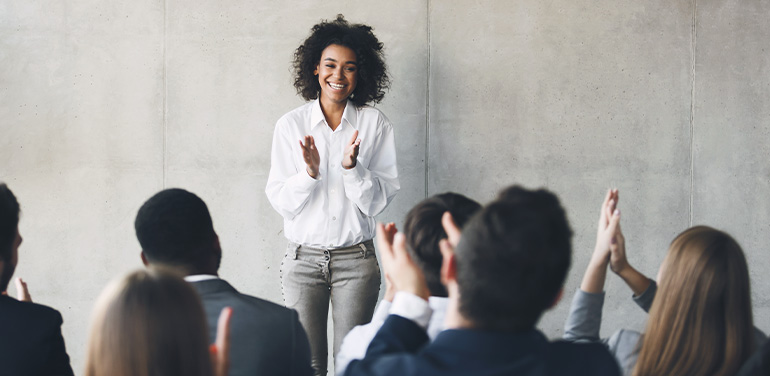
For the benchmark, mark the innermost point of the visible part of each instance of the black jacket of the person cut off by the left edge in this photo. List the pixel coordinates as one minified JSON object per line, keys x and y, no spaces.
{"x":30,"y":340}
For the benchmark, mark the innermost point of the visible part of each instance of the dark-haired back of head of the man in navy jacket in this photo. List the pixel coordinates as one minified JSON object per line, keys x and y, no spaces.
{"x":512,"y":260}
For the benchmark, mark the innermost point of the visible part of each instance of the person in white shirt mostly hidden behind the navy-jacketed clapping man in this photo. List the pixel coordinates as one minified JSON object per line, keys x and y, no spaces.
{"x":423,"y":231}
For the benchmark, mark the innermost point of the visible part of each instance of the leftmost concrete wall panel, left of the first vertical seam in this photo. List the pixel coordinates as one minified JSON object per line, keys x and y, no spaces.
{"x":81,"y":94}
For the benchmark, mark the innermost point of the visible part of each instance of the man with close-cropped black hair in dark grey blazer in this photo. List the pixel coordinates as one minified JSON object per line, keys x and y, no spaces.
{"x":175,"y":230}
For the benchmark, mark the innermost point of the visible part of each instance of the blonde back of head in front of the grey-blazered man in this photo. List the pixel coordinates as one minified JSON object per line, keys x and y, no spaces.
{"x":146,"y":324}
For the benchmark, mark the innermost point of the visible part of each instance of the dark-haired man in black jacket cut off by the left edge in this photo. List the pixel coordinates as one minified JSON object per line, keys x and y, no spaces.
{"x":30,"y":334}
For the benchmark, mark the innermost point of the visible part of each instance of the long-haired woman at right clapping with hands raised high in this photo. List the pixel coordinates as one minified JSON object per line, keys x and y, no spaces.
{"x":700,"y":322}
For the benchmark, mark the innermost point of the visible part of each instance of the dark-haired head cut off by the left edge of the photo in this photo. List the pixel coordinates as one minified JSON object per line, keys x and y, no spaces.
{"x":9,"y":223}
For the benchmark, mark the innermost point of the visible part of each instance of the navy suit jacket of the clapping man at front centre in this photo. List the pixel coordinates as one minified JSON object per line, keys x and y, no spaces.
{"x":397,"y":349}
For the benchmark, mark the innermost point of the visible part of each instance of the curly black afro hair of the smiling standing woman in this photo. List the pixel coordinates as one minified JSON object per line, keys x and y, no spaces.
{"x":373,"y":78}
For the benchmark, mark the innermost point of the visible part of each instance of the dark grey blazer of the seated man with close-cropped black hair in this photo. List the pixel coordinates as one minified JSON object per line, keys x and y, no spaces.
{"x":265,"y":338}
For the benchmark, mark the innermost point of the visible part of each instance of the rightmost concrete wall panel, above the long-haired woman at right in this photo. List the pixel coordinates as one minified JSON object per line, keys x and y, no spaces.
{"x":732,"y":133}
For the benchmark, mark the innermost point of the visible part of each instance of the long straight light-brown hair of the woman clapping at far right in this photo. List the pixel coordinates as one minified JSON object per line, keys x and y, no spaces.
{"x":700,"y":321}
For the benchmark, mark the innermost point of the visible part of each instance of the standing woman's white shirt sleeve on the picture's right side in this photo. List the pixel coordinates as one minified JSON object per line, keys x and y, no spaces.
{"x":372,"y":188}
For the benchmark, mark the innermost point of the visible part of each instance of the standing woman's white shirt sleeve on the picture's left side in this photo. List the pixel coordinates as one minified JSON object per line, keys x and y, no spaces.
{"x":288,"y":189}
